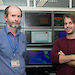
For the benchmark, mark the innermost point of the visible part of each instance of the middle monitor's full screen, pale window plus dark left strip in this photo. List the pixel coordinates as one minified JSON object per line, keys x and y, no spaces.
{"x":39,"y":37}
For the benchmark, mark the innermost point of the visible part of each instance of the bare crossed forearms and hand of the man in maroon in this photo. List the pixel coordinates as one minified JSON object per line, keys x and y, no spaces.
{"x":68,"y":59}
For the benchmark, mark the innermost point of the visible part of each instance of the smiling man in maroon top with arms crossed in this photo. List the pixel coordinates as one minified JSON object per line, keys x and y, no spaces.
{"x":63,"y":51}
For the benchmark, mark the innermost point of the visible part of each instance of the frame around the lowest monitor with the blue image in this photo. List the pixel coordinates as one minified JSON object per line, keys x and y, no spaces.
{"x":37,"y":49}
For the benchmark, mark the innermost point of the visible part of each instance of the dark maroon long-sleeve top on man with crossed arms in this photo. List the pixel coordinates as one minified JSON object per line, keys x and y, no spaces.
{"x":67,"y":46}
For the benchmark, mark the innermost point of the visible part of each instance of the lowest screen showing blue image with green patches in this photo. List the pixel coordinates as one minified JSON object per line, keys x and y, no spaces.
{"x":39,"y":57}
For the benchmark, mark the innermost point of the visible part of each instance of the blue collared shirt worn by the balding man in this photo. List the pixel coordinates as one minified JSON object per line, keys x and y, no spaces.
{"x":7,"y":54}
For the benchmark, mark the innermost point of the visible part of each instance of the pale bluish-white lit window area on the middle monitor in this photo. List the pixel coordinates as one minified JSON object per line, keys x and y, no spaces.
{"x":41,"y":37}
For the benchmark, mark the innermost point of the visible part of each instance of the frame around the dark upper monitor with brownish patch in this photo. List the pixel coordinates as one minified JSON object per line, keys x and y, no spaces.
{"x":42,"y":26}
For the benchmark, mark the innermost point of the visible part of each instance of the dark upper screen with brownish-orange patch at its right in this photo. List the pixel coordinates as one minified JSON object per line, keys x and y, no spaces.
{"x":34,"y":19}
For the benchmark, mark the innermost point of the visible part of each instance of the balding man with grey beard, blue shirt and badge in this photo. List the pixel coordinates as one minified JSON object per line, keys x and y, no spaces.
{"x":12,"y":44}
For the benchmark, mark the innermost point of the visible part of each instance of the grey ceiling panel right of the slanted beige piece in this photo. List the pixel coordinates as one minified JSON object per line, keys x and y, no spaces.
{"x":56,"y":3}
